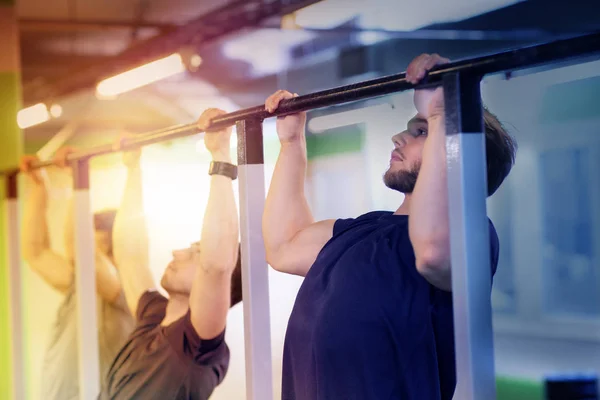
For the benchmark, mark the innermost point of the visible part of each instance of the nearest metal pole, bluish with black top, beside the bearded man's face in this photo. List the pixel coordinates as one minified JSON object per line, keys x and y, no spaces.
{"x":469,"y":238}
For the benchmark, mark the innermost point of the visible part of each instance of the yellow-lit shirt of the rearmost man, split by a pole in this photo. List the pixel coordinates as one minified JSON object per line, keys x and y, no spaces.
{"x":60,"y":369}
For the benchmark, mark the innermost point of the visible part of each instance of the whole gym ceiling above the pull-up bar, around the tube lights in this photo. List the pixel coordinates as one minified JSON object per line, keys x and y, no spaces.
{"x":248,"y":50}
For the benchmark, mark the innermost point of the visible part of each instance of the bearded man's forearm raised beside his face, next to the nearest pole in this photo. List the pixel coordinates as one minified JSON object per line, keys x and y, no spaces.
{"x":428,"y":222}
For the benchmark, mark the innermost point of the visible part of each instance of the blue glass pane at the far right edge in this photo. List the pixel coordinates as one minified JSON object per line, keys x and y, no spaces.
{"x":569,"y":275}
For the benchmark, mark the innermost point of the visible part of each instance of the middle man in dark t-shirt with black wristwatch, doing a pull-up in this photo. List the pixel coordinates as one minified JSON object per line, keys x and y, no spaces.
{"x":178,"y":350}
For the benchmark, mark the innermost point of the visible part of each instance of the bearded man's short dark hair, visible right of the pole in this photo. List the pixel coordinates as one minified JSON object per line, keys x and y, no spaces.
{"x":500,"y":151}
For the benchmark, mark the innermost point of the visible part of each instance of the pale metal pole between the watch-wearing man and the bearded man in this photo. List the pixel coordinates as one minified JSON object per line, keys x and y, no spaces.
{"x":255,"y":274}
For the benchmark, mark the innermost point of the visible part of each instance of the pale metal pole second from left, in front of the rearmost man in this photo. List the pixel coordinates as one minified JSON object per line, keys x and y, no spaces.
{"x":85,"y":281}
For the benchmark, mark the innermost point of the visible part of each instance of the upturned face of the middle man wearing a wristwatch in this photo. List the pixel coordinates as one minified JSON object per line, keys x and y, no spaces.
{"x":179,"y":275}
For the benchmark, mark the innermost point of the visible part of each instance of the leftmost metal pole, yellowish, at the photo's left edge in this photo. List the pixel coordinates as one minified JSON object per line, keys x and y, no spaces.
{"x":14,"y":287}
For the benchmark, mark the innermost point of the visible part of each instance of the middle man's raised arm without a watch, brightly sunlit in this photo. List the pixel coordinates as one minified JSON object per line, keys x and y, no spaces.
{"x":130,"y":236}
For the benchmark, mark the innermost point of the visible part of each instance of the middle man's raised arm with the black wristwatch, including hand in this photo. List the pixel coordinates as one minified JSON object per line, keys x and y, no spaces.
{"x":218,"y":248}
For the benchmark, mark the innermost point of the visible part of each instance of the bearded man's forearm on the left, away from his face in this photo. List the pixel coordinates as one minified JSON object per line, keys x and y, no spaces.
{"x":286,"y":208}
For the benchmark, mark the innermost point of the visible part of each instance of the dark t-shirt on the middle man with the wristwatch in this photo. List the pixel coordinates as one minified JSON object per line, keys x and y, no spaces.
{"x":165,"y":362}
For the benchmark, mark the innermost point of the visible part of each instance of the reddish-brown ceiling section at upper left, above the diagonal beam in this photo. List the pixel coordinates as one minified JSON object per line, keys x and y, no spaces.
{"x":58,"y":36}
